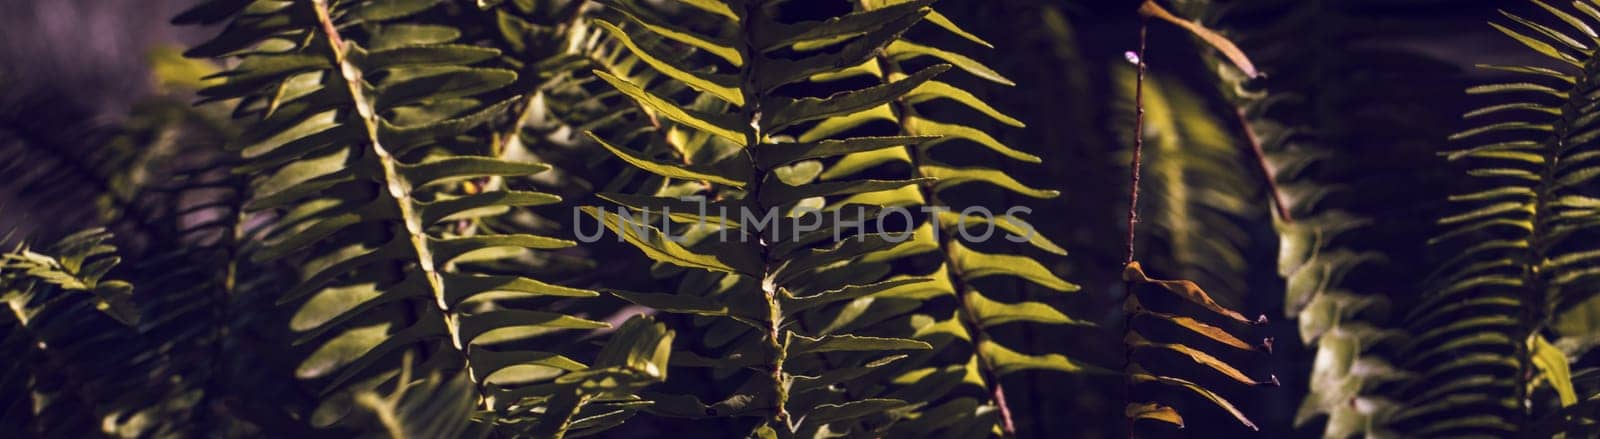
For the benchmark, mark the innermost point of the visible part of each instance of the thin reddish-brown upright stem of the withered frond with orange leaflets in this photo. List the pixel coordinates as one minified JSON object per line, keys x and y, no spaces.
{"x":1134,"y":215}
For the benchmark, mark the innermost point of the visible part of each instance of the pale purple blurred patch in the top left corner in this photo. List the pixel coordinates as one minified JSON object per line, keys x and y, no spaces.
{"x":89,"y":52}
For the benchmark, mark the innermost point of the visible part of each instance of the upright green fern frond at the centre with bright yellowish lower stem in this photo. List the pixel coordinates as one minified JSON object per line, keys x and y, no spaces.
{"x":770,"y":276}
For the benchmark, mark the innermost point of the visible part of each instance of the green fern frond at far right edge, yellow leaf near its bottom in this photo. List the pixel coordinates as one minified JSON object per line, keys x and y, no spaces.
{"x":1529,"y":256}
